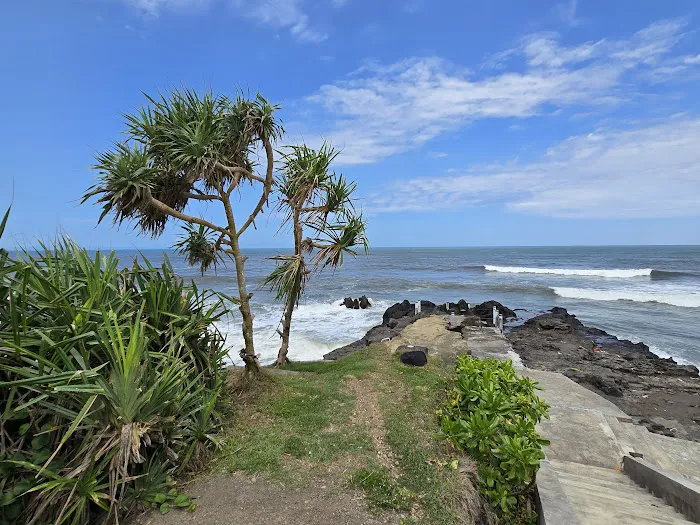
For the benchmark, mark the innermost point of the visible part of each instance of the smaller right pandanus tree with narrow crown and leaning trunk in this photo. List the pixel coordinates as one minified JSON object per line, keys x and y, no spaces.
{"x":316,"y":200}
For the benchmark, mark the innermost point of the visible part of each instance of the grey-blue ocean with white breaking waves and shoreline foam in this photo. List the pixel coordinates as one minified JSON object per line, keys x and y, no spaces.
{"x":641,"y":293}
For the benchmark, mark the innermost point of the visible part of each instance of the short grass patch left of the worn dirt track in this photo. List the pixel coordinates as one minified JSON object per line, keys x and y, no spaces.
{"x":306,"y":416}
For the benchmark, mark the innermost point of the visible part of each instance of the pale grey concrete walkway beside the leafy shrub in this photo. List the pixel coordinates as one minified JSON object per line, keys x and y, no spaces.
{"x":580,"y":481}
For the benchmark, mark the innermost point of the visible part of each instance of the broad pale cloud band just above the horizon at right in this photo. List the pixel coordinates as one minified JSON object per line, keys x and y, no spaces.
{"x":651,"y":171}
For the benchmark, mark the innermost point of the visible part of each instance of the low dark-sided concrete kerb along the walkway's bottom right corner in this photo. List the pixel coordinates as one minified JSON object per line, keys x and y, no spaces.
{"x":681,"y":493}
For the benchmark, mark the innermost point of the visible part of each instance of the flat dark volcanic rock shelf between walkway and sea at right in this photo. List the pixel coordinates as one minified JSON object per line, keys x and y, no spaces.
{"x":659,"y":391}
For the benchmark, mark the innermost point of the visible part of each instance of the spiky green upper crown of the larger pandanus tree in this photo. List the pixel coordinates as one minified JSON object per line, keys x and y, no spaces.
{"x":177,"y":148}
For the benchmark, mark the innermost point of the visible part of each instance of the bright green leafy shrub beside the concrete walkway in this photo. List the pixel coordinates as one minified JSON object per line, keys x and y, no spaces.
{"x":491,"y":415}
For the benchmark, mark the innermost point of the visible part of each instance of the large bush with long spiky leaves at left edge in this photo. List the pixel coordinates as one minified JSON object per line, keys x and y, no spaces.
{"x":110,"y":383}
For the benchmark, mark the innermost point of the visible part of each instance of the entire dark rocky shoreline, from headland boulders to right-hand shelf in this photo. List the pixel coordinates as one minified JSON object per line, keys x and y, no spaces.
{"x":656,"y":392}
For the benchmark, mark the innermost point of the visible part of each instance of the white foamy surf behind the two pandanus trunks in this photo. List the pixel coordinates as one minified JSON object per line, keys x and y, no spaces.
{"x":317,"y":328}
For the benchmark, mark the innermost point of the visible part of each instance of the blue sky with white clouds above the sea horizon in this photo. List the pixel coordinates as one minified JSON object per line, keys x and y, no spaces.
{"x":464,"y":123}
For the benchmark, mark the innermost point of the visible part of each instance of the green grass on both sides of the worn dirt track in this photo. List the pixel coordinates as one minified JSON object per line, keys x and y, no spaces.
{"x":309,"y":416}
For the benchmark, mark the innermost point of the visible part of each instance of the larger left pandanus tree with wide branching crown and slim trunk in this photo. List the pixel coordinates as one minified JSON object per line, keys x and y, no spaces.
{"x":186,"y":148}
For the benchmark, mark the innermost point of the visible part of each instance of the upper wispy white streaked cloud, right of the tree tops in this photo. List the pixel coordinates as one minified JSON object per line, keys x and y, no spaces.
{"x":382,"y":110}
